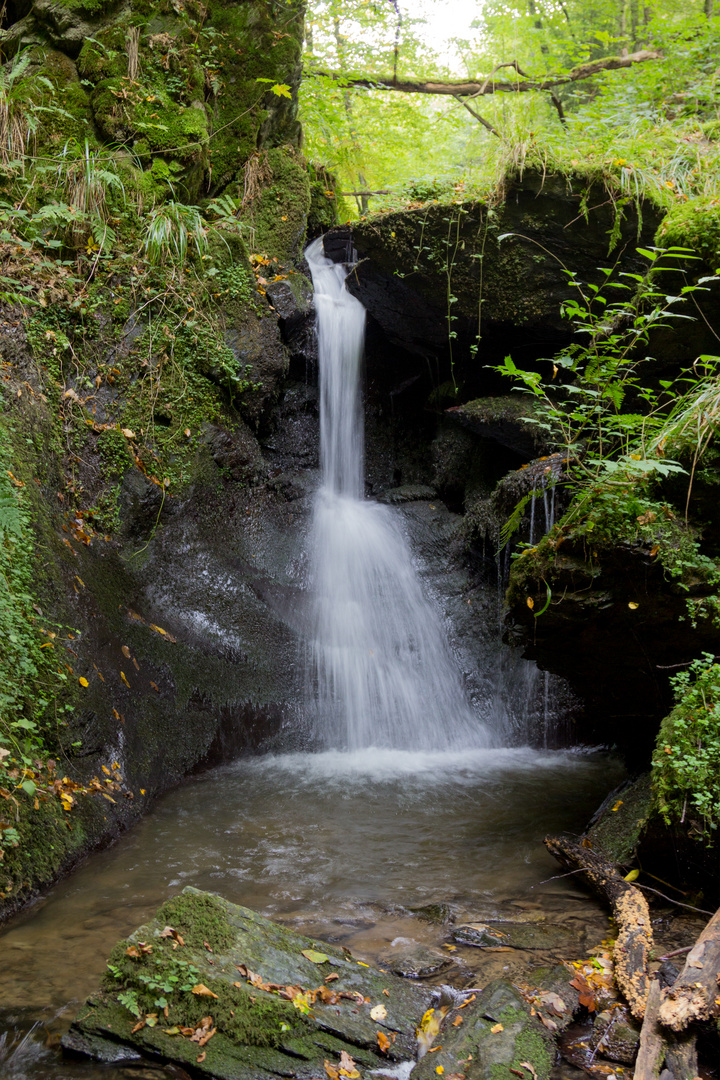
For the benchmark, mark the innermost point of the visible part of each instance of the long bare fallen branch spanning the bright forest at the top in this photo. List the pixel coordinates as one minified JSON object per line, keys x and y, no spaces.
{"x":474,"y":88}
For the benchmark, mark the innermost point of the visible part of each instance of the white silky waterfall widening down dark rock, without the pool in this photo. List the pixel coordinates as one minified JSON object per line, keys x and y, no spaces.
{"x":382,"y":671}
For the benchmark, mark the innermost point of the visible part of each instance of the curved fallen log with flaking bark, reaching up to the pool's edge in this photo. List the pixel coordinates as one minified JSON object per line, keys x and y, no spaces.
{"x":631,"y":911}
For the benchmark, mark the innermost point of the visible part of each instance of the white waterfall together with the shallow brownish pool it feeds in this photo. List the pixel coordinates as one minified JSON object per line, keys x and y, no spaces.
{"x":410,"y":806}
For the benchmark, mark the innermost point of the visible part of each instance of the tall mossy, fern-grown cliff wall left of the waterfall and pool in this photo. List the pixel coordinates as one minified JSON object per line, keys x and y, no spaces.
{"x":145,"y":544}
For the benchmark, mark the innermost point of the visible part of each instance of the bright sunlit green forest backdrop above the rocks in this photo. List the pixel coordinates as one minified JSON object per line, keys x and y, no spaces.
{"x":619,"y":89}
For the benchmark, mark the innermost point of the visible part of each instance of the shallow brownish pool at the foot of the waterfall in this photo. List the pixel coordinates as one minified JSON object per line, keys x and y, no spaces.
{"x":343,"y":847}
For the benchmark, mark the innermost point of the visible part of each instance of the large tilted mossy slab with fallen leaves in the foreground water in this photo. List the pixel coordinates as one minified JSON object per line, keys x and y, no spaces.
{"x":205,"y":957}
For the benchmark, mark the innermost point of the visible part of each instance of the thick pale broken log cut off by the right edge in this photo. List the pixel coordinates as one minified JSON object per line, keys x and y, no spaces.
{"x":695,"y":994}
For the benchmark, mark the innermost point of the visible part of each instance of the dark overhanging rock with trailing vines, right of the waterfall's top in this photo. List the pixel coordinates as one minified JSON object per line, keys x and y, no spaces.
{"x":407,"y":259}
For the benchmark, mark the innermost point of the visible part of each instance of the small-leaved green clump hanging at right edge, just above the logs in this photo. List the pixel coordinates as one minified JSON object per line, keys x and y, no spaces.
{"x":686,"y":766}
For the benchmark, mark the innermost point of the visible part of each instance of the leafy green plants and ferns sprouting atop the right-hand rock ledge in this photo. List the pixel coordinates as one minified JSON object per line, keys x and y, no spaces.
{"x":595,"y":407}
